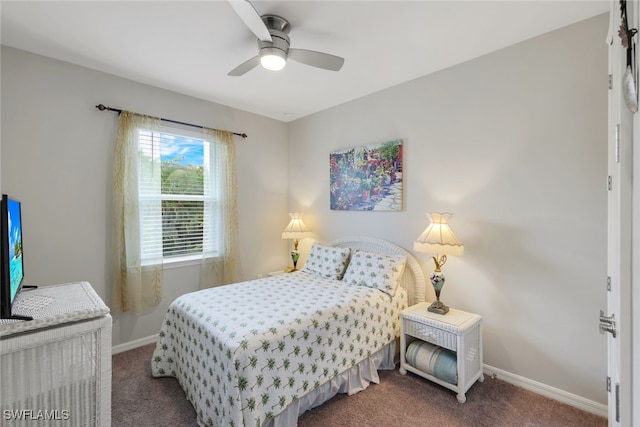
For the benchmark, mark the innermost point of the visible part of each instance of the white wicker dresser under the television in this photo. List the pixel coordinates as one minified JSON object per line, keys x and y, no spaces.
{"x":55,"y":370}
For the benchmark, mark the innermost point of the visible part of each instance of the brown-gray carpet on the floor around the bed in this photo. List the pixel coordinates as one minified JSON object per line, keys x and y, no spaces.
{"x":141,"y":400}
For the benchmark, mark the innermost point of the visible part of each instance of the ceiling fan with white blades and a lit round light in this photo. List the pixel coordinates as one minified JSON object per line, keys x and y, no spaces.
{"x":273,"y":43}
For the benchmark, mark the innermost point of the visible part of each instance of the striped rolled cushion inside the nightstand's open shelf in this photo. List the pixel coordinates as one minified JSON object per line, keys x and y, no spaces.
{"x":434,"y":360}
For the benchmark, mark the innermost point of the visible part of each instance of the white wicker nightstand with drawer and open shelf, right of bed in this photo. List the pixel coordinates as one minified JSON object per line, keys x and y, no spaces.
{"x":458,"y":331}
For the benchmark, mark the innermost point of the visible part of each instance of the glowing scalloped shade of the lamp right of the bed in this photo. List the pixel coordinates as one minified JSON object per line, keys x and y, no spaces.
{"x":438,"y":237}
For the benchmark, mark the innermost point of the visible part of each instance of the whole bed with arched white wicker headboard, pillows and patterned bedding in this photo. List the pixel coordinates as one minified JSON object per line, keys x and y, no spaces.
{"x":262,"y":352}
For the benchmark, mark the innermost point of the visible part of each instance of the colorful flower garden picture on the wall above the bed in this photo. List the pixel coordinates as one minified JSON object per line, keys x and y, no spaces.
{"x":367,"y":178}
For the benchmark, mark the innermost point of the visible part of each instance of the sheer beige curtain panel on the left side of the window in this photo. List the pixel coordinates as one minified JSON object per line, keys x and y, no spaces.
{"x":136,"y":288}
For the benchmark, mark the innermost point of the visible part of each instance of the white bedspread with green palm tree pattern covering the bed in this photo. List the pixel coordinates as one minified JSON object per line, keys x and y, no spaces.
{"x":243,"y":352}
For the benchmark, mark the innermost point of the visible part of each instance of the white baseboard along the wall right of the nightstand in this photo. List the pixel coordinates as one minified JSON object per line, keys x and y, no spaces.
{"x":548,"y":391}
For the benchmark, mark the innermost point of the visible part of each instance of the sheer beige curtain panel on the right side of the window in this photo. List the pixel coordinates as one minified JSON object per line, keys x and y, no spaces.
{"x":223,"y":267}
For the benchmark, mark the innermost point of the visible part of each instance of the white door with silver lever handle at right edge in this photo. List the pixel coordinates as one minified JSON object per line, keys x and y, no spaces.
{"x":615,"y":322}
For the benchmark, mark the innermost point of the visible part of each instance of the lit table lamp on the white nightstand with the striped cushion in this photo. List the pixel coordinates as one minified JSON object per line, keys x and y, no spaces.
{"x":438,"y":239}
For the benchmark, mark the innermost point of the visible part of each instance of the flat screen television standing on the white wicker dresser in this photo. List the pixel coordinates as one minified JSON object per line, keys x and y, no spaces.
{"x":11,"y":264}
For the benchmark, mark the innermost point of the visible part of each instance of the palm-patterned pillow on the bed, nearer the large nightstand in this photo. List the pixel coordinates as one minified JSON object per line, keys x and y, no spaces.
{"x":375,"y":271}
